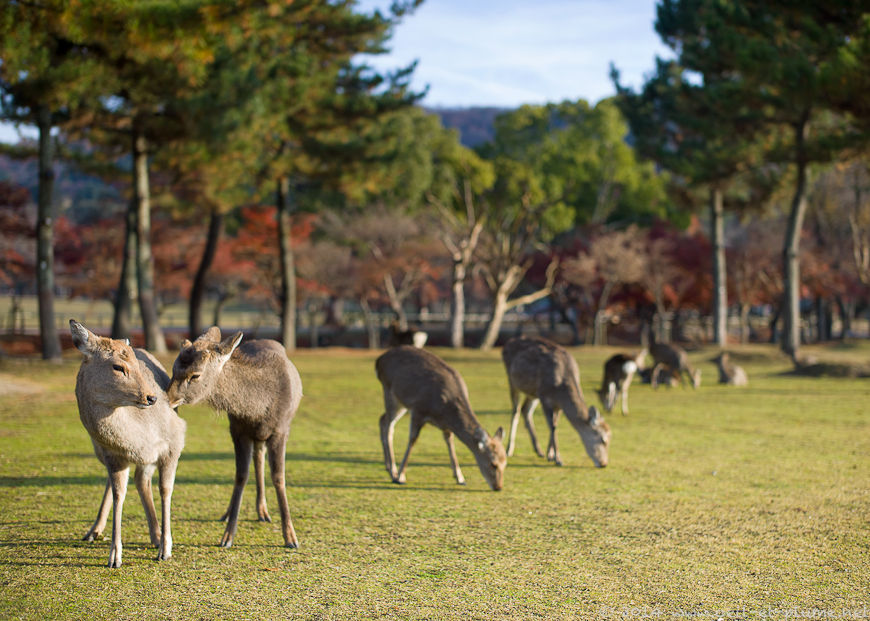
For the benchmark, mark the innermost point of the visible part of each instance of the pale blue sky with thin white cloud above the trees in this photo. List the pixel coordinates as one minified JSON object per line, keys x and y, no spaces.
{"x":505,"y":53}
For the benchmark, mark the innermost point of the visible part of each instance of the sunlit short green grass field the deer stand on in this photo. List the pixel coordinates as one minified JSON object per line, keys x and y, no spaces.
{"x":718,"y":503}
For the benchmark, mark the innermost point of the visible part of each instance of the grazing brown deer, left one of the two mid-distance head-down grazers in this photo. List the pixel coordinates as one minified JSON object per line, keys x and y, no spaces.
{"x":416,"y":380}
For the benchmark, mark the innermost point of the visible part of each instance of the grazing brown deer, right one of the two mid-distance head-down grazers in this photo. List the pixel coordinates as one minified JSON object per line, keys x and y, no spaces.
{"x":545,"y":372}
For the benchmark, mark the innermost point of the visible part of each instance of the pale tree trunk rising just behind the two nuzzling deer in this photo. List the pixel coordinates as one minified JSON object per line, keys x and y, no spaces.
{"x":154,"y":340}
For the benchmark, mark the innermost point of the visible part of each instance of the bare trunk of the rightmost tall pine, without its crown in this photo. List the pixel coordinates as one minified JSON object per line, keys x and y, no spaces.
{"x":791,"y":252}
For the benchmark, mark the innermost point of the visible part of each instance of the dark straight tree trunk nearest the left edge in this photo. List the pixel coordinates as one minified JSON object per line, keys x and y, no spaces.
{"x":45,"y":241}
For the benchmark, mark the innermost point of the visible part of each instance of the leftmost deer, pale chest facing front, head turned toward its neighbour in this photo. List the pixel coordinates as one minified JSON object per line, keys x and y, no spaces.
{"x":123,"y":407}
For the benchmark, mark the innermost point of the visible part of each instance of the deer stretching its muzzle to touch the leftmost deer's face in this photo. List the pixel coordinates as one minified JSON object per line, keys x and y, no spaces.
{"x":259,"y":389}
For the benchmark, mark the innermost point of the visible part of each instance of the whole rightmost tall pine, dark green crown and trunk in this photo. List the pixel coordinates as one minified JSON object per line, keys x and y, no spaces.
{"x":781,"y":58}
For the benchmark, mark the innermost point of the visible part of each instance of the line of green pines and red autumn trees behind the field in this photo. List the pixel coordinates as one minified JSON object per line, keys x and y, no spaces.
{"x":255,"y":143}
